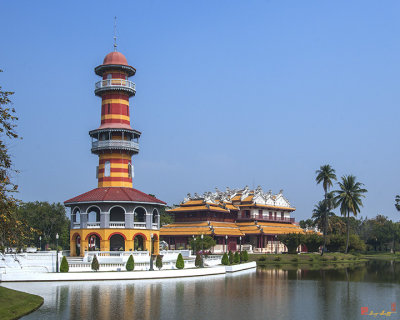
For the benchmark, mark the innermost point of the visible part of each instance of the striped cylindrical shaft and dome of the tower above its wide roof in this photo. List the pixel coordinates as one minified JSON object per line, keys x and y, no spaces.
{"x":115,"y":141}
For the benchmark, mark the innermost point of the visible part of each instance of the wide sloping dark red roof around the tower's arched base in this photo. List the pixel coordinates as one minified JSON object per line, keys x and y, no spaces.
{"x":114,"y":194}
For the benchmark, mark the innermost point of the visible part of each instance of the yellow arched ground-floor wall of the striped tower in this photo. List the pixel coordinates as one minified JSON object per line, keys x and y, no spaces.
{"x":105,"y":234}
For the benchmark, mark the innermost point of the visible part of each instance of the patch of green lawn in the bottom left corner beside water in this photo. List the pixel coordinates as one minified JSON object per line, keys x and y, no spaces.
{"x":15,"y":304}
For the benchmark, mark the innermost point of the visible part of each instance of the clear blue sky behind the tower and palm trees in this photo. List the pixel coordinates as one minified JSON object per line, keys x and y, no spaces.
{"x":229,"y":93}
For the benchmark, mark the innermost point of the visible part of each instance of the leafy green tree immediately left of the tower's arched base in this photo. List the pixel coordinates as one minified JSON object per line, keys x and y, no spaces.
{"x":48,"y":219}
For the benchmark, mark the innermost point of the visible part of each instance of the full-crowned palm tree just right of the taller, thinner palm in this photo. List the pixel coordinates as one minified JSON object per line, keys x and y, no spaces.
{"x":348,"y":197}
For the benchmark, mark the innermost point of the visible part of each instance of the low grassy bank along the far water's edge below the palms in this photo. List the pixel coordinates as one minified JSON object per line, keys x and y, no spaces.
{"x":306,"y":258}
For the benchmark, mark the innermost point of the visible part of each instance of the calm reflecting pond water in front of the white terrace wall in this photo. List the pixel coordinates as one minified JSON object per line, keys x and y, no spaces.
{"x":338,"y":293}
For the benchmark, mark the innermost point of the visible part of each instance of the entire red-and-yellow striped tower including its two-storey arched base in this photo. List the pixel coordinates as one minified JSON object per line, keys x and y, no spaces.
{"x":114,"y":216}
